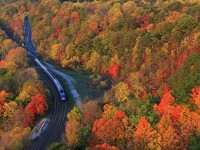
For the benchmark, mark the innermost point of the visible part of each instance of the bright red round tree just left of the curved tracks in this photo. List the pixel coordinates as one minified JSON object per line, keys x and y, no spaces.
{"x":38,"y":105}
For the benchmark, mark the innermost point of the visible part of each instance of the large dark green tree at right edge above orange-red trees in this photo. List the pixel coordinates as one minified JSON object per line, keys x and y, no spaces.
{"x":185,"y":78}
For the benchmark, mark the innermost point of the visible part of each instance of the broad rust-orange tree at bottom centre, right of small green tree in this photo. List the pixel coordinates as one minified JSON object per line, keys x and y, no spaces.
{"x":115,"y":130}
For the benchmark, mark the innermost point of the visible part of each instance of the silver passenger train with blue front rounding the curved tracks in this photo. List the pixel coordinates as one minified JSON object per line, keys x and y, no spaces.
{"x":53,"y":78}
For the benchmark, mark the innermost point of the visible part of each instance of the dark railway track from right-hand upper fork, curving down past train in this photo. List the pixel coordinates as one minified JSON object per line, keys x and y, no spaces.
{"x":58,"y":114}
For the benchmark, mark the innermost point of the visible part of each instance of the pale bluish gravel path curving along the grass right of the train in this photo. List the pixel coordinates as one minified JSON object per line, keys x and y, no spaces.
{"x":71,"y":81}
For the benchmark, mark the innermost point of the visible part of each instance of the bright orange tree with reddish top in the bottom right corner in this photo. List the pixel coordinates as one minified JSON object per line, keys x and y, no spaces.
{"x":176,"y":130}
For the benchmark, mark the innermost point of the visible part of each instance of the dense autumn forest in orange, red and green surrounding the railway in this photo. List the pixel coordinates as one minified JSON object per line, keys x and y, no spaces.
{"x":144,"y":55}
